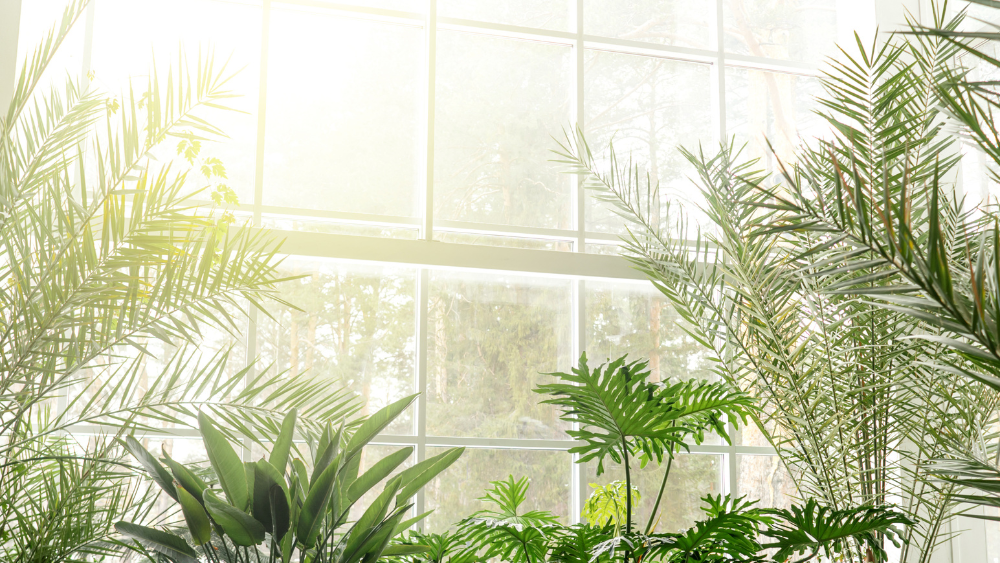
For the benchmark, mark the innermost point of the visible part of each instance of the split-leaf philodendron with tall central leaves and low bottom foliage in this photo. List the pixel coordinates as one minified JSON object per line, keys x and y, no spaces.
{"x":622,"y":408}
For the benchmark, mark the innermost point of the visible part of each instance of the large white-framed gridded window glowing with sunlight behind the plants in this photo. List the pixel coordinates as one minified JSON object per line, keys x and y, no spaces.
{"x":403,"y":147}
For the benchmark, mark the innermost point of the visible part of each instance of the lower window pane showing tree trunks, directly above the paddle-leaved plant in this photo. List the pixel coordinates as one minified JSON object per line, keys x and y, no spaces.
{"x":357,"y":328}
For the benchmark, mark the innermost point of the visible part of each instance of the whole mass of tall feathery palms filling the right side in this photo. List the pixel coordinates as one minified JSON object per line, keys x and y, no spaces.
{"x":849,"y":293}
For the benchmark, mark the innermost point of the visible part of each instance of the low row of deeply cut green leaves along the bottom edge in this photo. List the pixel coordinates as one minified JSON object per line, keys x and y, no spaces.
{"x":733,"y":530}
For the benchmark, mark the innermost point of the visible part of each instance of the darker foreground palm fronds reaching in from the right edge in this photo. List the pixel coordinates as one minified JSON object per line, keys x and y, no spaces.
{"x":937,"y":256}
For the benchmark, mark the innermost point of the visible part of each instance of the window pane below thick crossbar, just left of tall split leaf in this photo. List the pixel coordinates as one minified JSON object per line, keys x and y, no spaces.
{"x":490,"y":339}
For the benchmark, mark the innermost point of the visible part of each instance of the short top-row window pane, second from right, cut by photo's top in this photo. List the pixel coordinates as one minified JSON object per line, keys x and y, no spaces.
{"x":668,"y":22}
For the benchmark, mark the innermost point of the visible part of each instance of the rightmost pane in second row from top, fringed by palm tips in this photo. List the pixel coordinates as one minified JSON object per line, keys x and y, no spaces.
{"x":769,"y":106}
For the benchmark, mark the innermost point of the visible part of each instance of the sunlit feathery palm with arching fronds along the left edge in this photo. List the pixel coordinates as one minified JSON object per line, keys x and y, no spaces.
{"x":111,"y":277}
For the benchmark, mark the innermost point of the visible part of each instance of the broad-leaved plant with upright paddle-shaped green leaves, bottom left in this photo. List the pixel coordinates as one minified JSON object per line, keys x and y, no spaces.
{"x":274,"y":508}
